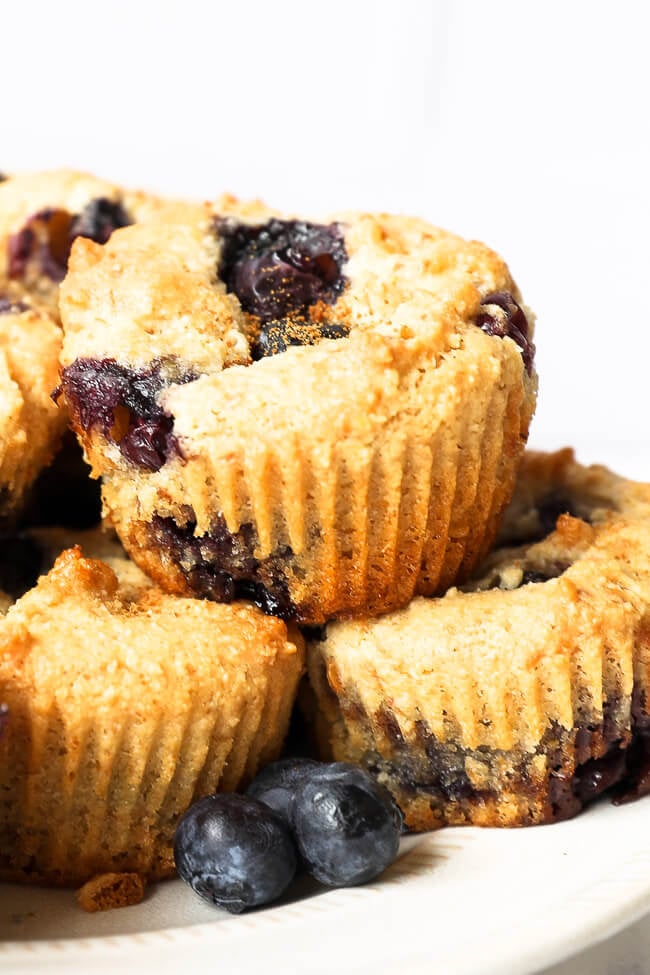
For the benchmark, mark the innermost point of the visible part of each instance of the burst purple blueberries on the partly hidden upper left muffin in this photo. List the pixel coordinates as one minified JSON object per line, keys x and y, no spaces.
{"x":47,"y":236}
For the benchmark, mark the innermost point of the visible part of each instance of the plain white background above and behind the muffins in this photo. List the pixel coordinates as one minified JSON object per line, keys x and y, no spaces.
{"x":523,"y":124}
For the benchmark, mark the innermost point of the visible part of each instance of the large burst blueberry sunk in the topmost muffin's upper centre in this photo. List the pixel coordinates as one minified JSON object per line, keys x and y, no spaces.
{"x":281,"y":268}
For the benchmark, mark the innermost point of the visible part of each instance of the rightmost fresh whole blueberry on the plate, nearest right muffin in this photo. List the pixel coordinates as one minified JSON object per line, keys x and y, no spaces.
{"x":346,"y":826}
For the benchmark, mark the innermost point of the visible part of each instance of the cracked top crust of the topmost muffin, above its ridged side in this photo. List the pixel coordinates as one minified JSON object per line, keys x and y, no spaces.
{"x":356,"y":304}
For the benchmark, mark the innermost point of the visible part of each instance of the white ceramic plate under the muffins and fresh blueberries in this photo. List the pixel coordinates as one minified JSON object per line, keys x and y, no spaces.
{"x":461,"y":901}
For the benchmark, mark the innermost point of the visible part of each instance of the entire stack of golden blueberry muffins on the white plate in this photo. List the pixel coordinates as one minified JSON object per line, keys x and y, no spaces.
{"x":307,"y":434}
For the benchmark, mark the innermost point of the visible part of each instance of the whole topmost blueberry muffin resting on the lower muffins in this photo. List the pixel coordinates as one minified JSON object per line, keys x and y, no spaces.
{"x":325,"y":418}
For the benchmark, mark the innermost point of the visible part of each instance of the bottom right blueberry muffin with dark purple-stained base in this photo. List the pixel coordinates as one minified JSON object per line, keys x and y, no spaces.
{"x":523,"y":697}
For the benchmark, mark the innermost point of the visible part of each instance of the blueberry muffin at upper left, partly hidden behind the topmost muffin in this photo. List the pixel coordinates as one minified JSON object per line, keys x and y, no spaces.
{"x":41,"y":214}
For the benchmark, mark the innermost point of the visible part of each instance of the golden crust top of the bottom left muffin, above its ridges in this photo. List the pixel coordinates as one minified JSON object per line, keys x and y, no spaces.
{"x":84,"y":633}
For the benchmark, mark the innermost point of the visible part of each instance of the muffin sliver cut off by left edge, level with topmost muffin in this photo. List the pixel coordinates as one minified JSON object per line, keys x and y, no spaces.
{"x":31,"y":426}
